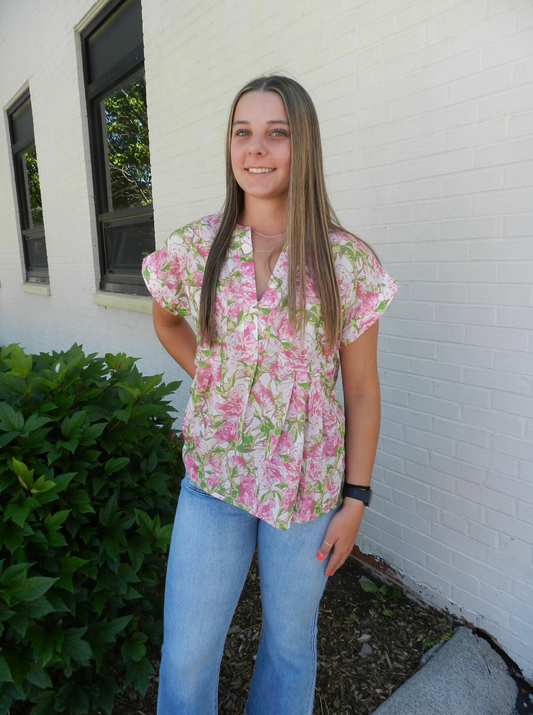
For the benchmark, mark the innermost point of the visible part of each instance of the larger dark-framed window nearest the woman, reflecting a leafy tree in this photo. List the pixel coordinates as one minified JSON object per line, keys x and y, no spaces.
{"x":118,"y":129}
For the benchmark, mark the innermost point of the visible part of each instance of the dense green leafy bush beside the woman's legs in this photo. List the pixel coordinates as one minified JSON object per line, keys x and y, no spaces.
{"x":89,"y":479}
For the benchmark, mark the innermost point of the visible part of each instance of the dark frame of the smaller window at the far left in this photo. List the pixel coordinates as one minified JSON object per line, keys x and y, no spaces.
{"x":33,"y":274}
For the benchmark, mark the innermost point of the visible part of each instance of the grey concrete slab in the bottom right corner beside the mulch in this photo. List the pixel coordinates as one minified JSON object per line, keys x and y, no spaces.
{"x":464,"y":677}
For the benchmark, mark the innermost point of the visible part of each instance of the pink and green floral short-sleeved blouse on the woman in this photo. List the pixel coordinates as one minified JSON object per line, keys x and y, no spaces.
{"x":263,"y":428}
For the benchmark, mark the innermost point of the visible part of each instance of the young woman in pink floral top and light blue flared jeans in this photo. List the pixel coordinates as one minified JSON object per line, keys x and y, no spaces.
{"x":279,"y":292}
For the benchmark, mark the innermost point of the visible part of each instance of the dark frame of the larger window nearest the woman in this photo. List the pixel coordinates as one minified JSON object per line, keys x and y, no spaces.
{"x":130,"y":64}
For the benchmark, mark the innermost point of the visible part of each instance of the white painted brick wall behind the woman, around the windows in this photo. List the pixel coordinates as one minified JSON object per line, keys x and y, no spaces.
{"x":427,"y":119}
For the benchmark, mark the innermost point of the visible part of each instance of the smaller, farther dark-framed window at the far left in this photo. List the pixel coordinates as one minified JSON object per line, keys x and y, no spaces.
{"x":28,"y":190}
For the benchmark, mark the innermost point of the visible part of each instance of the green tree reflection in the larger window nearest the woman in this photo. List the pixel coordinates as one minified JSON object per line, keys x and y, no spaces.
{"x":128,"y":152}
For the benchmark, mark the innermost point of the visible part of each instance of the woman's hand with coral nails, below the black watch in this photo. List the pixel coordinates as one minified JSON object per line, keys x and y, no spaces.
{"x":341,"y":534}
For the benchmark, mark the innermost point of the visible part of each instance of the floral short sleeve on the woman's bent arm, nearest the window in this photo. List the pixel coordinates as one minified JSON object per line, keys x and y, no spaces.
{"x":164,"y":273}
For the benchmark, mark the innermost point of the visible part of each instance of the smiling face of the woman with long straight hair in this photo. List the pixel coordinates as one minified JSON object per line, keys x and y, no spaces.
{"x":261,"y":145}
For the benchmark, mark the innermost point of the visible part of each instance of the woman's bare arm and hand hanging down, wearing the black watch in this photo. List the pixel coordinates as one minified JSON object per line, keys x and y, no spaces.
{"x":362,"y":409}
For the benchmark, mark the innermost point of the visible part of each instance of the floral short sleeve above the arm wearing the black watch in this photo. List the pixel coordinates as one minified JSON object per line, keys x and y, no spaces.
{"x":366,"y":288}
